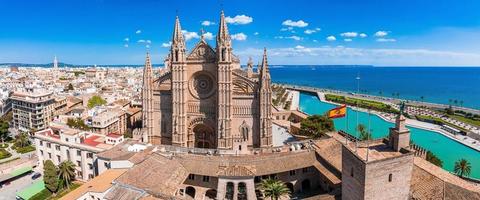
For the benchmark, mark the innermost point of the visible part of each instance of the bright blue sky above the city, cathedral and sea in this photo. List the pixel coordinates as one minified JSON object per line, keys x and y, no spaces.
{"x":378,"y":32}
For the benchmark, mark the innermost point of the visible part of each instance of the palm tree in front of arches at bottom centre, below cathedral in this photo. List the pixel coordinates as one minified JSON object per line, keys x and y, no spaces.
{"x":273,"y":189}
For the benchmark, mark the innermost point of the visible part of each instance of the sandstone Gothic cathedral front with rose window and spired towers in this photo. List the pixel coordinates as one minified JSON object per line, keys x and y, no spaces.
{"x":203,"y":99}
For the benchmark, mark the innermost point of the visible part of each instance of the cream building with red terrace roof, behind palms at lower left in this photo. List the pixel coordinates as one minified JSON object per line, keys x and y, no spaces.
{"x":59,"y":143}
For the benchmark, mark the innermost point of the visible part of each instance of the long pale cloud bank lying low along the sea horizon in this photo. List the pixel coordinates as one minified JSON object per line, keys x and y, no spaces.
{"x":380,"y":57}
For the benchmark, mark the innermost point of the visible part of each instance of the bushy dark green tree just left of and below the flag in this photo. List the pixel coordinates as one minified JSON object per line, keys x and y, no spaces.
{"x":316,"y":126}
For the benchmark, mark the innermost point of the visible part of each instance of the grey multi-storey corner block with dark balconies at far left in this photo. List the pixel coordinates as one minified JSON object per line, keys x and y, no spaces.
{"x":32,"y":109}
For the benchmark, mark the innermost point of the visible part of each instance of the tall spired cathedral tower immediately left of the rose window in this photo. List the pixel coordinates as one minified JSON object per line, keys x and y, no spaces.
{"x":179,"y":86}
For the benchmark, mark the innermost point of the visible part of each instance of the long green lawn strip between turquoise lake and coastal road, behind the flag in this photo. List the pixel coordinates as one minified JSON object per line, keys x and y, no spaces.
{"x":374,"y":105}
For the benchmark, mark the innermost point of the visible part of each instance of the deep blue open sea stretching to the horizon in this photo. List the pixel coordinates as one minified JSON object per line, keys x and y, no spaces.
{"x":458,"y":86}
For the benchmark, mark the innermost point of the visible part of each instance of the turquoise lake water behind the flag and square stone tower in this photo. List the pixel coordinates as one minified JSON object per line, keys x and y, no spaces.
{"x":445,"y":148}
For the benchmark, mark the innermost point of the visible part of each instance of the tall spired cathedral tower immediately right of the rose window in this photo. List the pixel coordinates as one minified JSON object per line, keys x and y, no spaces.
{"x":224,"y":85}
